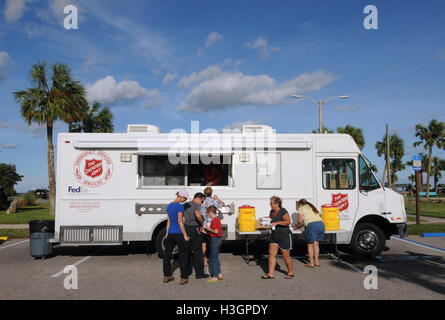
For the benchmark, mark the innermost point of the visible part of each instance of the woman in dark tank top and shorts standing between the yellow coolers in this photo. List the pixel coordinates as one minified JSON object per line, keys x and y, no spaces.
{"x":281,"y":238}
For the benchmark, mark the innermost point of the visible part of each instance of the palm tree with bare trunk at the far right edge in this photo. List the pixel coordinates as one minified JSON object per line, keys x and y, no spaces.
{"x":433,"y":135}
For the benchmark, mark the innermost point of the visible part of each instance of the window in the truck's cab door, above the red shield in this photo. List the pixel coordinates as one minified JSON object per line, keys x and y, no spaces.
{"x":338,"y":174}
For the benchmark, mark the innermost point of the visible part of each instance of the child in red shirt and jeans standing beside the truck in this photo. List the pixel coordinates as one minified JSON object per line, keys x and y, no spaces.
{"x":215,"y":231}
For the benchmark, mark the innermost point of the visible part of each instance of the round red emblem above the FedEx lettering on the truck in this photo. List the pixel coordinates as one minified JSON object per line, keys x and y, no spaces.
{"x":93,"y":168}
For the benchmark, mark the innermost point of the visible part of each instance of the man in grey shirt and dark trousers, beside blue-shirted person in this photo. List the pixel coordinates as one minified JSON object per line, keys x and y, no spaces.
{"x":193,"y":221}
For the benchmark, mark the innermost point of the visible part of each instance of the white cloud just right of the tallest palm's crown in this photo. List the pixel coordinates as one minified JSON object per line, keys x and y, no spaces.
{"x":107,"y":90}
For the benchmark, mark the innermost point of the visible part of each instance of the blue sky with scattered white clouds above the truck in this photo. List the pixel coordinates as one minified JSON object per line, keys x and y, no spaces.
{"x":229,"y":62}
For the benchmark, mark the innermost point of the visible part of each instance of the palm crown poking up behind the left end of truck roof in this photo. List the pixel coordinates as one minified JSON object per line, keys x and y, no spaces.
{"x":96,"y":120}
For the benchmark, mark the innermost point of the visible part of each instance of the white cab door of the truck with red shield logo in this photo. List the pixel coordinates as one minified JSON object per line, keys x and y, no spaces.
{"x":337,"y":185}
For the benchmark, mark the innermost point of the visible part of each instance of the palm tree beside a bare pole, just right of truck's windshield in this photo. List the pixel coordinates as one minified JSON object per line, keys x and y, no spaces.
{"x":397,"y":151}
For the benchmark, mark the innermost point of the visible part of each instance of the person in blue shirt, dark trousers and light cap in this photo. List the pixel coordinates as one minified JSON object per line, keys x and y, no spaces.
{"x":176,"y":236}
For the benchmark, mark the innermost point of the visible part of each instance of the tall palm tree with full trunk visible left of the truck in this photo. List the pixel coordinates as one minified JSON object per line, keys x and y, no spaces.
{"x":46,"y":101}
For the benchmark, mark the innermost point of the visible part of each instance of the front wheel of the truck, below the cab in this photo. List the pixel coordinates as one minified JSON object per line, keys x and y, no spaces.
{"x":368,"y":240}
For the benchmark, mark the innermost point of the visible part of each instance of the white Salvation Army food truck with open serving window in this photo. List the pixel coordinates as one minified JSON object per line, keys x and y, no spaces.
{"x":114,"y":187}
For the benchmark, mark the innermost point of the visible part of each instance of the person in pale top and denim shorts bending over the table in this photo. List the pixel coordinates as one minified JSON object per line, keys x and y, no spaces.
{"x":309,"y":216}
